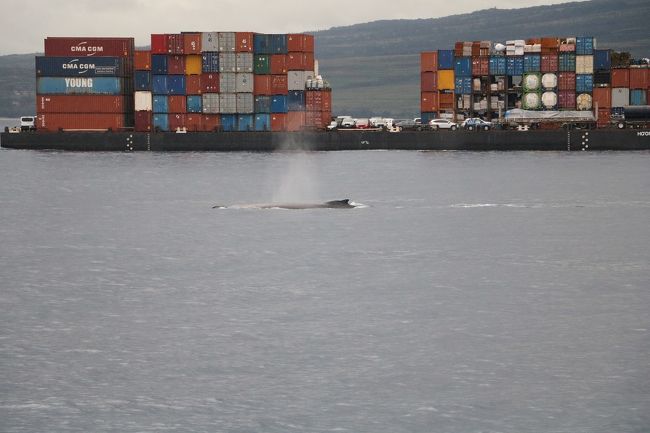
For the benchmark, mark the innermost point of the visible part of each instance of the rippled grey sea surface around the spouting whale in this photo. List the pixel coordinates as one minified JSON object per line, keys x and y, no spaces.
{"x":473,"y":292}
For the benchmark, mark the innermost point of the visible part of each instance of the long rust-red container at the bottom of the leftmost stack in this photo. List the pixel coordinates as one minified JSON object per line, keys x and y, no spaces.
{"x":80,"y":121}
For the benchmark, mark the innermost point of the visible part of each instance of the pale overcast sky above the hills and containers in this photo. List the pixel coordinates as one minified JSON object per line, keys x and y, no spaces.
{"x":25,"y":23}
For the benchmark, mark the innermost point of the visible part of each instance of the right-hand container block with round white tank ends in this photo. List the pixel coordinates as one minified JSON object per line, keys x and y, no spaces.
{"x":534,"y":74}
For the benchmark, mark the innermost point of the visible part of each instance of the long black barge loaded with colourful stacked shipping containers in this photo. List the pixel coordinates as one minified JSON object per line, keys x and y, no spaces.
{"x":245,"y":91}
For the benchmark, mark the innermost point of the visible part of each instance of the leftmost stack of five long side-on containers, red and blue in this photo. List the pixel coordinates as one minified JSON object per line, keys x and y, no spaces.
{"x":85,"y":83}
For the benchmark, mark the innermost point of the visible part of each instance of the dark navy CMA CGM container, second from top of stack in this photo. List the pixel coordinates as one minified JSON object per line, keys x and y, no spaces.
{"x":81,"y":66}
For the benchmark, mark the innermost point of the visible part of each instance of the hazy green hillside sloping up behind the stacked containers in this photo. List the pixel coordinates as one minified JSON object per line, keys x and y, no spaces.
{"x":374,"y":67}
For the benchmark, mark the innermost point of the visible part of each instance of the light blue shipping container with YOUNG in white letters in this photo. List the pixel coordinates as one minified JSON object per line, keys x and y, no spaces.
{"x":80,"y":86}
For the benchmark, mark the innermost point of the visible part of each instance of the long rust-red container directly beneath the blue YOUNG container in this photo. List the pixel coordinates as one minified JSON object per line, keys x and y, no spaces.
{"x":81,"y":104}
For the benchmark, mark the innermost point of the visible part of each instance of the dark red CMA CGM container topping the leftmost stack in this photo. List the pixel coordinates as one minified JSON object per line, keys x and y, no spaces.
{"x":83,"y":47}
